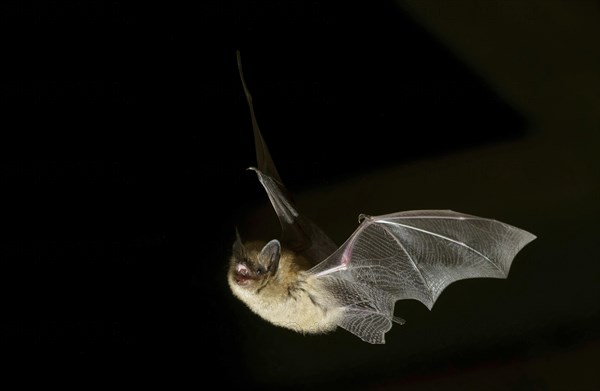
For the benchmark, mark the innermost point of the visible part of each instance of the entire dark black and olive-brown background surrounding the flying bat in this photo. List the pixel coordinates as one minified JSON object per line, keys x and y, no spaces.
{"x":125,"y":141}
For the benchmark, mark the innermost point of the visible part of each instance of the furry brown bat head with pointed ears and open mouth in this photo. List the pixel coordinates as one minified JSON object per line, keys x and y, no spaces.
{"x":252,"y":264}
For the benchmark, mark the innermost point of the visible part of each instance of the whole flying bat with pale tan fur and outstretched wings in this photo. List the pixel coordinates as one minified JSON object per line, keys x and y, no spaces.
{"x":304,"y":282}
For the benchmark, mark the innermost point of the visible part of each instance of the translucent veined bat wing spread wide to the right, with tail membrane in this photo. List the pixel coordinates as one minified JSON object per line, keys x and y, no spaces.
{"x":412,"y":255}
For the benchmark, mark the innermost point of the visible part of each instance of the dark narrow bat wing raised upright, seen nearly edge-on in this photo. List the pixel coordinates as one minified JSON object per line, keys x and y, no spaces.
{"x":298,"y":232}
